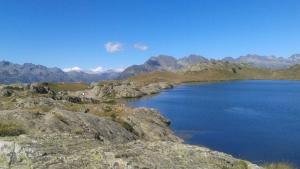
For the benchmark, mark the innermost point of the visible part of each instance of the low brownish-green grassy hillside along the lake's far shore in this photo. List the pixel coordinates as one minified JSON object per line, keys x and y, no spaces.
{"x":218,"y":71}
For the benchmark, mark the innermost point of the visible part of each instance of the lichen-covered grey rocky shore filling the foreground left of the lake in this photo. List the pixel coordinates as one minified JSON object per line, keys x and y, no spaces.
{"x":46,"y":128}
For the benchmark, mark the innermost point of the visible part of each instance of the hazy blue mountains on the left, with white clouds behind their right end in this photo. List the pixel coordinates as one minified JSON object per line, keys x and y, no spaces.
{"x":27,"y":73}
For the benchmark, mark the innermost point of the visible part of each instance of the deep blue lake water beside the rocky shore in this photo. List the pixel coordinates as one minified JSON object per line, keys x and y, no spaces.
{"x":254,"y":120}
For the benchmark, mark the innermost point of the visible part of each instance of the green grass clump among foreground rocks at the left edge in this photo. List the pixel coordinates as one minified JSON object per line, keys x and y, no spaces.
{"x":10,"y":129}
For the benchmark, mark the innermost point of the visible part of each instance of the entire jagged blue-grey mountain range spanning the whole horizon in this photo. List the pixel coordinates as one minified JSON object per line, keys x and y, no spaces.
{"x":28,"y":72}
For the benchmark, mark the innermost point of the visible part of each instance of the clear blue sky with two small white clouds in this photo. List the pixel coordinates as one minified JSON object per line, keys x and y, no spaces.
{"x":103,"y":34}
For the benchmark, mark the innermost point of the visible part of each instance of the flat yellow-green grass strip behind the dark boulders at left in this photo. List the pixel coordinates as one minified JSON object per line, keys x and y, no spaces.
{"x":68,"y":86}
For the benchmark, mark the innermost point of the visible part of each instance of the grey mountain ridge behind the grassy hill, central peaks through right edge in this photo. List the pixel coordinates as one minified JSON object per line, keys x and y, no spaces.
{"x":169,"y":63}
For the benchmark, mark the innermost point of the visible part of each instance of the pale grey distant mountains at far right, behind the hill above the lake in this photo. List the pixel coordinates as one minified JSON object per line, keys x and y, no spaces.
{"x":271,"y":62}
